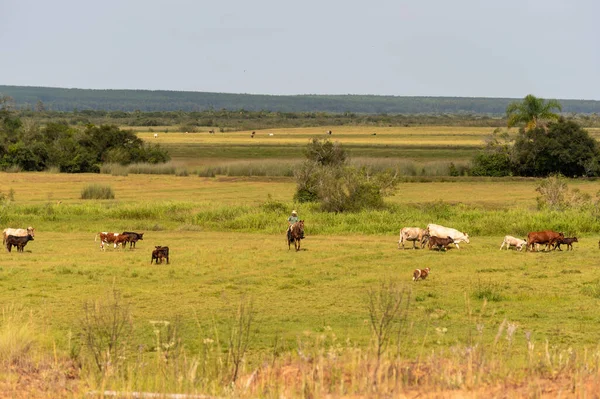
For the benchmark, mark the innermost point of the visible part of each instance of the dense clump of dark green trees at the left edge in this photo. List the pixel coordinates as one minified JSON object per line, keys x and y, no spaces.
{"x":27,"y":146}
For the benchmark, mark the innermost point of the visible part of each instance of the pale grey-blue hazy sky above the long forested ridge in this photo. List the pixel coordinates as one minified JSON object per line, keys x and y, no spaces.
{"x":459,"y":48}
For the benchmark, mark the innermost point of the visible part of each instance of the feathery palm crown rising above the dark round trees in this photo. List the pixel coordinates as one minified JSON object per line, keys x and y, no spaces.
{"x":531,"y":111}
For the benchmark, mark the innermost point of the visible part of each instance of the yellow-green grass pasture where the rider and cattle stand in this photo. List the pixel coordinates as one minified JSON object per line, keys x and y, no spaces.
{"x":227,"y":243}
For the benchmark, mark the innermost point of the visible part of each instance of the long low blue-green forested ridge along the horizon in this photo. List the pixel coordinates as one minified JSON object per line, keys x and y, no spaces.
{"x":59,"y":99}
